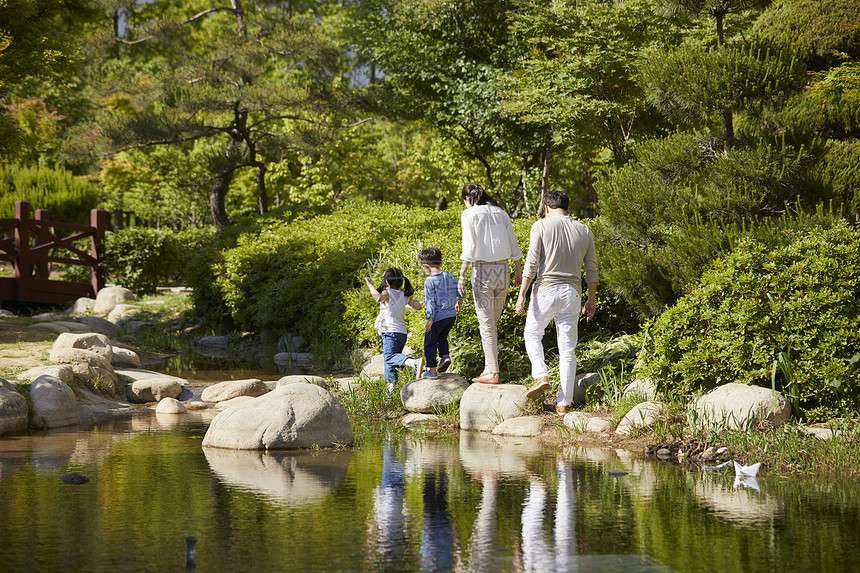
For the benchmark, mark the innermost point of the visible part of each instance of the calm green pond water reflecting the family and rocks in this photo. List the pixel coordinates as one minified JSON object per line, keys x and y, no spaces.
{"x":394,"y":502}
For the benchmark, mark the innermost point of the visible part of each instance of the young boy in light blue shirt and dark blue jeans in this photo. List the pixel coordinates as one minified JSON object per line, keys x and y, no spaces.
{"x":442,"y":302}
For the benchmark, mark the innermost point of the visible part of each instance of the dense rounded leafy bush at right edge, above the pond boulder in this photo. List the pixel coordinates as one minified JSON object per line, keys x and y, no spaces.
{"x":785,"y":317}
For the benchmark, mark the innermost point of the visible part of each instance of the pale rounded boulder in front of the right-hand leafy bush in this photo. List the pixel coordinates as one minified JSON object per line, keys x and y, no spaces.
{"x":741,"y":407}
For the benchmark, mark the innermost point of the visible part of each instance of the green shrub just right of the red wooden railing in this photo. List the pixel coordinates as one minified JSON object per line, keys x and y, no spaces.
{"x":142,"y":259}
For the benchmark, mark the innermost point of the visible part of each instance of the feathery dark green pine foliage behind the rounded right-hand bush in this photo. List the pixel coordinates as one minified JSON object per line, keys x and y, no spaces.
{"x":682,"y":203}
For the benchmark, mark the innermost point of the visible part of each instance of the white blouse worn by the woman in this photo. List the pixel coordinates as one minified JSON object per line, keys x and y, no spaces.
{"x":488,"y":235}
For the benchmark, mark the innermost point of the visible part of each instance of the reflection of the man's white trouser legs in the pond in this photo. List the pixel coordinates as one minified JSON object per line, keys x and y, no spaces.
{"x":537,"y":555}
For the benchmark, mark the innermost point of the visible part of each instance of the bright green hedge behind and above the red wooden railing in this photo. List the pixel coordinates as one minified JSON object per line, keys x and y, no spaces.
{"x":66,"y":197}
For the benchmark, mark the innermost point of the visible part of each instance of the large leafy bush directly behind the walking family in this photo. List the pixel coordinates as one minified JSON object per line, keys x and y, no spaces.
{"x":305,"y":275}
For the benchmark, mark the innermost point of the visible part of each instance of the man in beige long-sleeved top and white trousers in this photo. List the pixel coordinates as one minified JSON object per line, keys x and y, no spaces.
{"x":558,"y":249}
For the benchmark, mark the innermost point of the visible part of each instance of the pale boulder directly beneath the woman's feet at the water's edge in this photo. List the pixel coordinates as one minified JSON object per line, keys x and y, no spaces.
{"x":485,"y":406}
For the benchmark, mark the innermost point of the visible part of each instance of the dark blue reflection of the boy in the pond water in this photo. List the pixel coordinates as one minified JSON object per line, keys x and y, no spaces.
{"x":437,"y":538}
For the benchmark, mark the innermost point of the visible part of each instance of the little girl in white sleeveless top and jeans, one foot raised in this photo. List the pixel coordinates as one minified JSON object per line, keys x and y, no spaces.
{"x":393,"y":294}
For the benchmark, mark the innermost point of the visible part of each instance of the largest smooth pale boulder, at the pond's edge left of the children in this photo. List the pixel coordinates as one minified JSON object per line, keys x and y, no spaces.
{"x":290,"y":417}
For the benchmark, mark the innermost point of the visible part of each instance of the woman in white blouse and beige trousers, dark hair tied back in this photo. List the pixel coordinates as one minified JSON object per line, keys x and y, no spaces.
{"x":488,"y":242}
